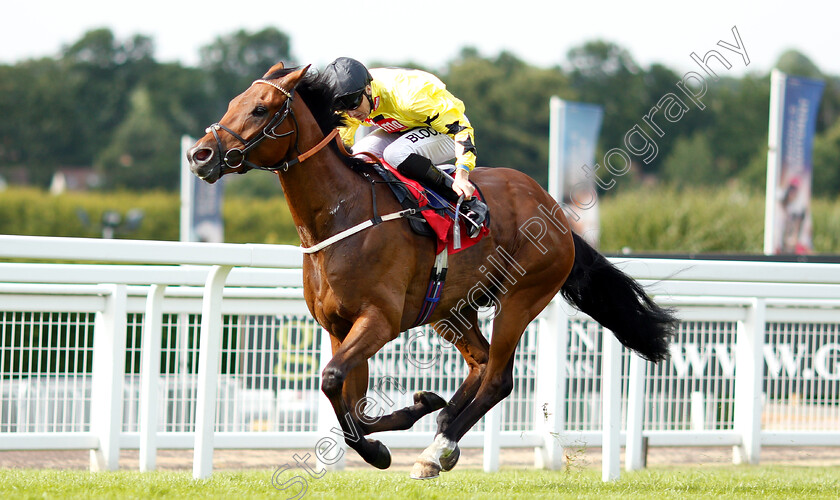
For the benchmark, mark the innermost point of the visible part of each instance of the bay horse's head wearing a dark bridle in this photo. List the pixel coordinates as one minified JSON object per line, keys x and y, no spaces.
{"x":254,"y":132}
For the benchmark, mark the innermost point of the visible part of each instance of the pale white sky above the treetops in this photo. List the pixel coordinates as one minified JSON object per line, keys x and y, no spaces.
{"x":432,"y":32}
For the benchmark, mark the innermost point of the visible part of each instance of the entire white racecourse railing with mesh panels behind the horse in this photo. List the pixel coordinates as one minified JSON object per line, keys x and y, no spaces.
{"x":203,"y":346}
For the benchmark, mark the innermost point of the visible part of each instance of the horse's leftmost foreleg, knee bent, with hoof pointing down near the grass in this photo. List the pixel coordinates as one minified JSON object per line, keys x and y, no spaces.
{"x":369,"y":333}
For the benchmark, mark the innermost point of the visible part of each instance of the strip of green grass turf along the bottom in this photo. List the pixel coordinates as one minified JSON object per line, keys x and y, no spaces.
{"x":766,"y":482}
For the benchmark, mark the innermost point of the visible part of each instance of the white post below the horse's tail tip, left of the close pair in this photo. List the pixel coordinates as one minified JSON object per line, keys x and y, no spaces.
{"x":611,"y":405}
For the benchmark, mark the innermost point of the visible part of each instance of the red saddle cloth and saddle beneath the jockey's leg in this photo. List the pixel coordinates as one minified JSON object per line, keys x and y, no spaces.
{"x":438,"y":215}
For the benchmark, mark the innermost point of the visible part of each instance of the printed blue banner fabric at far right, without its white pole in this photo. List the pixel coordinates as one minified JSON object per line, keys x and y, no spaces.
{"x":801,"y":101}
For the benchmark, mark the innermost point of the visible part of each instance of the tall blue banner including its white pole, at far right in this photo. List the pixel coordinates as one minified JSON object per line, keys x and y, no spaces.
{"x":794,"y":103}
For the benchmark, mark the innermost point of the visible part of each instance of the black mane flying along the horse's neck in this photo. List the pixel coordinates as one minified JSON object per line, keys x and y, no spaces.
{"x":318,"y":95}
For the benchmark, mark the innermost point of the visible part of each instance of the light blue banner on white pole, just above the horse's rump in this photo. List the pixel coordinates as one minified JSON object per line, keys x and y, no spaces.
{"x":574,"y":128}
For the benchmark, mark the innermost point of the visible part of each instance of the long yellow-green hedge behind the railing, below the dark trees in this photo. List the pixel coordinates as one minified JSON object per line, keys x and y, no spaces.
{"x":645,"y":219}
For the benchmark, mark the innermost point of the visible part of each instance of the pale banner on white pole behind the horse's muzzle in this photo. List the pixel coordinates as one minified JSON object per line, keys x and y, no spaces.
{"x":201,"y":204}
